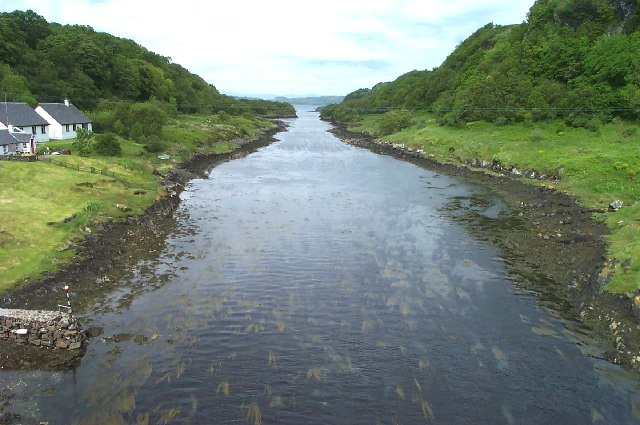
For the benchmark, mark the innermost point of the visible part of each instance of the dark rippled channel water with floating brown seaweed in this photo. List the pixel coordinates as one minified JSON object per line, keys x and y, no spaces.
{"x":316,"y":283}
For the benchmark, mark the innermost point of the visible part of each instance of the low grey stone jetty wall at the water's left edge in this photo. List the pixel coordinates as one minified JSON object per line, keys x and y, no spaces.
{"x":46,"y":329}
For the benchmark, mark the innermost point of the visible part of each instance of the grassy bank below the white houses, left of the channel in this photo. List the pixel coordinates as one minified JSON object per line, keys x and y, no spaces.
{"x":46,"y":207}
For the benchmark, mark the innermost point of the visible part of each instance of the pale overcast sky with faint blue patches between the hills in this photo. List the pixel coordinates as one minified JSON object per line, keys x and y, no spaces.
{"x":289,"y":47}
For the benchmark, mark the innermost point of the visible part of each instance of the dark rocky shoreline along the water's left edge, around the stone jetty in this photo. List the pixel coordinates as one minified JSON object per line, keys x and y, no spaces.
{"x":106,"y":254}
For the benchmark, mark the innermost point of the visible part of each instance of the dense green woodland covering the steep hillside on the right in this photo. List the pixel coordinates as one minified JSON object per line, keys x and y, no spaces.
{"x":578,"y":60}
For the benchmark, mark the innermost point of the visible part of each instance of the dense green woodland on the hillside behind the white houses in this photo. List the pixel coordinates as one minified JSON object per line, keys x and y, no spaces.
{"x":46,"y":62}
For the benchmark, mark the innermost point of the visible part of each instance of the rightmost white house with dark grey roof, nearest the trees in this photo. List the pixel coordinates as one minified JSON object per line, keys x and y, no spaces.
{"x":63,"y":119}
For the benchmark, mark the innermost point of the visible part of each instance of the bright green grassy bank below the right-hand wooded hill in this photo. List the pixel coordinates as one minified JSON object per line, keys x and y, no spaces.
{"x":598,"y":166}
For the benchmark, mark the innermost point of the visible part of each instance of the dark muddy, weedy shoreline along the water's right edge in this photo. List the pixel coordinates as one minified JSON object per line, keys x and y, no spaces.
{"x":551,"y":246}
